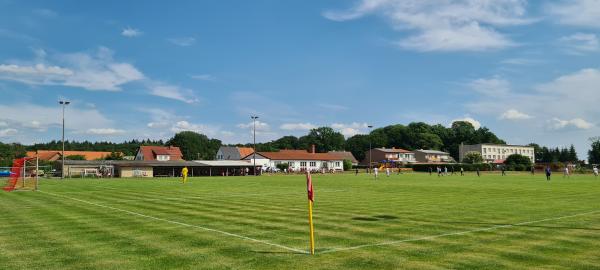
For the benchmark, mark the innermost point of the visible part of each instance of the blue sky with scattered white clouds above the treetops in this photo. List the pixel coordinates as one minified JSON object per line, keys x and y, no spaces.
{"x":528,"y":70}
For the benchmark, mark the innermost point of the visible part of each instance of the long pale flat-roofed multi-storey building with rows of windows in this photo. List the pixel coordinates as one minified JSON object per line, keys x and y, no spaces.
{"x":496,"y":153}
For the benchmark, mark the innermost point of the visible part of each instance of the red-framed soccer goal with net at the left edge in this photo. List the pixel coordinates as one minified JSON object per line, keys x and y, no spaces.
{"x":23,"y":175}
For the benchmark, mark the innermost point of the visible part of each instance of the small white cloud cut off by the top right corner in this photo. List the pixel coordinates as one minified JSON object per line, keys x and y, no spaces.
{"x":584,"y":13}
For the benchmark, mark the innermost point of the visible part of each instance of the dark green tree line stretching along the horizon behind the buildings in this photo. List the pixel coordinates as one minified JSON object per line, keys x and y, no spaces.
{"x":413,"y":136}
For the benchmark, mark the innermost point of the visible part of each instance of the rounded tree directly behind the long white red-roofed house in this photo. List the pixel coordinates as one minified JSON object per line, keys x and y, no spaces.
{"x":325,"y":139}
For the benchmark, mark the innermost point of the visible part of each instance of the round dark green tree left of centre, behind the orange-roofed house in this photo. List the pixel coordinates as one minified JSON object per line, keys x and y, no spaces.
{"x":195,"y":146}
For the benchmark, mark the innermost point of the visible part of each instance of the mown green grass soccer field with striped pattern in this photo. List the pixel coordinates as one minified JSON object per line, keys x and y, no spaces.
{"x":409,"y":221}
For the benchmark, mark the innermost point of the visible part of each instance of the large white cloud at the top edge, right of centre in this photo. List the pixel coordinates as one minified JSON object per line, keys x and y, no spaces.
{"x":444,"y":25}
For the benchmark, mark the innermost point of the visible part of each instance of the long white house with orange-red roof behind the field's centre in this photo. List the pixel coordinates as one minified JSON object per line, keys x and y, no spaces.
{"x":298,"y":160}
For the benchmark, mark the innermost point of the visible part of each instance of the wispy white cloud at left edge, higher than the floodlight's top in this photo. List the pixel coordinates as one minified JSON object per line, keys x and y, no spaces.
{"x":97,"y":71}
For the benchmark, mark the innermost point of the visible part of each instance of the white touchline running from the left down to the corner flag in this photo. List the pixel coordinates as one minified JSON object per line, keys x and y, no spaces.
{"x":182,"y":224}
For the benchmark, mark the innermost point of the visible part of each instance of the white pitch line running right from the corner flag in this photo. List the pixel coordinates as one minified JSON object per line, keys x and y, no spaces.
{"x":455,"y":233}
